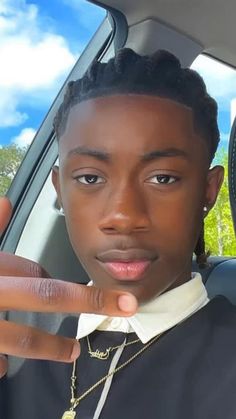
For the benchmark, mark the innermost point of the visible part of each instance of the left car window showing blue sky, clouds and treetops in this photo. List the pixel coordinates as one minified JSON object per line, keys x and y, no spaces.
{"x":40,"y":42}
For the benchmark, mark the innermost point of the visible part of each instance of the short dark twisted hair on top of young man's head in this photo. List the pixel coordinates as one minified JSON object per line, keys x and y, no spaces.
{"x":159,"y":74}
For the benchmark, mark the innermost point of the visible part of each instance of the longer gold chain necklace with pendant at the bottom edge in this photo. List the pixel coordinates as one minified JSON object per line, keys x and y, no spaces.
{"x":75,"y":401}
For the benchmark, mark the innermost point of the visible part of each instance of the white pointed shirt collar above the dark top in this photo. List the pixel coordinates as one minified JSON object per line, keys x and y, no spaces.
{"x":154,"y":317}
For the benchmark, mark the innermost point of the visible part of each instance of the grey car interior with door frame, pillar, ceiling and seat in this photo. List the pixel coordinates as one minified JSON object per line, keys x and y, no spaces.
{"x":186,"y":28}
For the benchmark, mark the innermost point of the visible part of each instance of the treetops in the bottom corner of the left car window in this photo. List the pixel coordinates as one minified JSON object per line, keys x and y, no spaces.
{"x":10,"y":158}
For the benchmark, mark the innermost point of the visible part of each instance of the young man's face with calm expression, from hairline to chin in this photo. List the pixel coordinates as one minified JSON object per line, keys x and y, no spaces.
{"x":133,"y":180}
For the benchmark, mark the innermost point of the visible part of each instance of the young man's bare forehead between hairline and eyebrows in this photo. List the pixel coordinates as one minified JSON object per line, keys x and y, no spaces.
{"x":136,"y":123}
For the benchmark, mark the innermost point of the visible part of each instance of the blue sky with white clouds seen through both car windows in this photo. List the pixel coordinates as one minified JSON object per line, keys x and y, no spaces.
{"x":40,"y":41}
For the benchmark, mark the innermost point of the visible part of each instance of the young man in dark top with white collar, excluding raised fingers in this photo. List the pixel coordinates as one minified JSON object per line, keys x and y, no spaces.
{"x":136,"y":140}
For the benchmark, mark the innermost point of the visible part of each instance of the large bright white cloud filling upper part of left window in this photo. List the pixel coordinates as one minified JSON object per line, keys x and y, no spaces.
{"x":34,"y":61}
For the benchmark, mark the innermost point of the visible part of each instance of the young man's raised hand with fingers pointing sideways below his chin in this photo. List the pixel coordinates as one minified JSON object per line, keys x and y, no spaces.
{"x":25,"y":286}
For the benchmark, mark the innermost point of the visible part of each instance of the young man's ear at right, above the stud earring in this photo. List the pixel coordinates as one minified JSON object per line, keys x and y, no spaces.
{"x":215,"y":179}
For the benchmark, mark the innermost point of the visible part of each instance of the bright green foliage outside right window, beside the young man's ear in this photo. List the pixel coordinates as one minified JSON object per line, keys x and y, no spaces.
{"x":219,"y":230}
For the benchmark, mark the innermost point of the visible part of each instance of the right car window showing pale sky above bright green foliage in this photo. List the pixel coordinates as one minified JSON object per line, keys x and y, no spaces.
{"x":221,"y":84}
